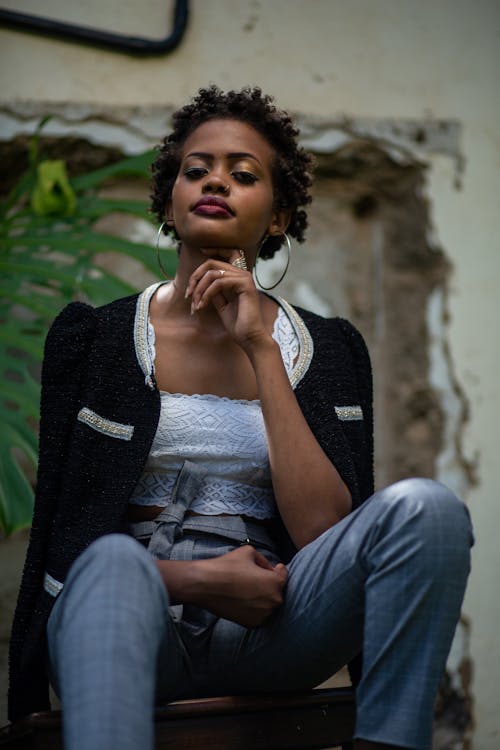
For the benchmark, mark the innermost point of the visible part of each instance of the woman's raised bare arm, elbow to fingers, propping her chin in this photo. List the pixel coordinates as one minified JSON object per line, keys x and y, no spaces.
{"x":309,"y":491}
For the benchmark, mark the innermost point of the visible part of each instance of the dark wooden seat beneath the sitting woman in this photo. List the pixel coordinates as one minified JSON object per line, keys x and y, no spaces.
{"x":322,"y":718}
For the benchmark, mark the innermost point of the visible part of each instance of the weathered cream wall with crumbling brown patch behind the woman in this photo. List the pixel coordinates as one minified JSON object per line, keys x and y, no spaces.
{"x":362,"y":68}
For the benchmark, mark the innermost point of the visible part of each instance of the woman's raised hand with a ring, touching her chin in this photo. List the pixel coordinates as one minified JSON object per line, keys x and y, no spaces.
{"x":232,"y":293}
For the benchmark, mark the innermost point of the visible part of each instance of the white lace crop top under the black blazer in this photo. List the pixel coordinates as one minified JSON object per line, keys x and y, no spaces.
{"x":226,"y":436}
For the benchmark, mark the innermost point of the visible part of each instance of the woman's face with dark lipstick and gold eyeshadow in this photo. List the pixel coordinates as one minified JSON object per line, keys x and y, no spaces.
{"x":223,"y":194}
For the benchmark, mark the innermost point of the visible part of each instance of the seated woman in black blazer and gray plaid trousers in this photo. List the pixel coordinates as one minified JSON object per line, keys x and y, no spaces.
{"x":231,"y":435}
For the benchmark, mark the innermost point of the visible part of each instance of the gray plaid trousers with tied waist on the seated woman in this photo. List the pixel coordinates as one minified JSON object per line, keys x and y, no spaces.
{"x":389,"y":579}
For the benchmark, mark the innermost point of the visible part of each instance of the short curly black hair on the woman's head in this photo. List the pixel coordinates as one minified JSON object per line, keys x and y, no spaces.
{"x":292,"y":168}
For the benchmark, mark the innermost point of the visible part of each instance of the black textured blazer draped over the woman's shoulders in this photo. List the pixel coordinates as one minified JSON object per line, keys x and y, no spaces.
{"x":99,"y":412}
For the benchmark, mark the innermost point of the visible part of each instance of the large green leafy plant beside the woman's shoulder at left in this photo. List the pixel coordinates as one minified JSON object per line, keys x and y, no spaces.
{"x":49,"y":255}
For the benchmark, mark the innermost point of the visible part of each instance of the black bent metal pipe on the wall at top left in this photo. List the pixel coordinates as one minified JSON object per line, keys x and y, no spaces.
{"x":131,"y":45}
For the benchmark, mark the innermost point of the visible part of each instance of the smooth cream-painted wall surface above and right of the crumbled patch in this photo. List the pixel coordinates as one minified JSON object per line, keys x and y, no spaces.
{"x":385,"y":59}
